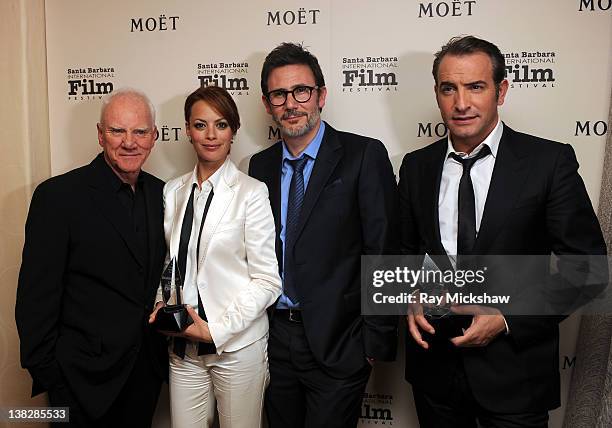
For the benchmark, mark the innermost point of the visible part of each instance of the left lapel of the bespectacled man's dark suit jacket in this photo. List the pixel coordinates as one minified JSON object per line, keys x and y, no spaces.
{"x":271,"y":175}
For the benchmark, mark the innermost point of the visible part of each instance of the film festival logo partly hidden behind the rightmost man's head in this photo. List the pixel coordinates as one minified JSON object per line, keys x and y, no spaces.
{"x":531,"y":69}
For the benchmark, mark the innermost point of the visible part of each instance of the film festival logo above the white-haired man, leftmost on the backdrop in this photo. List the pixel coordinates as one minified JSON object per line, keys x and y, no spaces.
{"x":89,"y":83}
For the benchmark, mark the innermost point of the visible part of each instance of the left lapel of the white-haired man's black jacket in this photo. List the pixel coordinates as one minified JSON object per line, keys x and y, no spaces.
{"x":109,"y":205}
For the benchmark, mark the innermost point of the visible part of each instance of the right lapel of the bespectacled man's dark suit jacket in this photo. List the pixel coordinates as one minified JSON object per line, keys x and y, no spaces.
{"x":328,"y":157}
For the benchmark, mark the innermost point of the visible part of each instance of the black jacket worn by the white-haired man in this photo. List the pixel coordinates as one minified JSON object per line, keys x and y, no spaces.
{"x":84,"y":295}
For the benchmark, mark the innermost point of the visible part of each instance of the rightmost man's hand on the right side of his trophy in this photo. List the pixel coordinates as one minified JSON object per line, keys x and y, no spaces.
{"x":487,"y":323}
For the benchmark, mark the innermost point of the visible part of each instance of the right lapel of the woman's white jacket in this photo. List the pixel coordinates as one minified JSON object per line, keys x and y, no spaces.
{"x":224,"y":193}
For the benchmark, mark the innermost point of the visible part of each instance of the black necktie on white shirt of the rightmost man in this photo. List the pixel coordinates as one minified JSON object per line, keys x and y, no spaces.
{"x":466,"y":232}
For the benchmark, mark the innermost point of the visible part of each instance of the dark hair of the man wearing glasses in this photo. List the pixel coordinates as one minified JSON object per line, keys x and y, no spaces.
{"x":290,"y":54}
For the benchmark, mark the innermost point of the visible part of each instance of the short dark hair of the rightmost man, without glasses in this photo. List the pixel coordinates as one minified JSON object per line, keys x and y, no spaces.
{"x":465,"y":45}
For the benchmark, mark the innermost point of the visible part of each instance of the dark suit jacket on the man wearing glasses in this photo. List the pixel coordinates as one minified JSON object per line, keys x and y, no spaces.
{"x":350,"y":208}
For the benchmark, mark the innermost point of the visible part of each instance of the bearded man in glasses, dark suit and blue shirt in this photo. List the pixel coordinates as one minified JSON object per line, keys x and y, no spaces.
{"x":334,"y":198}
